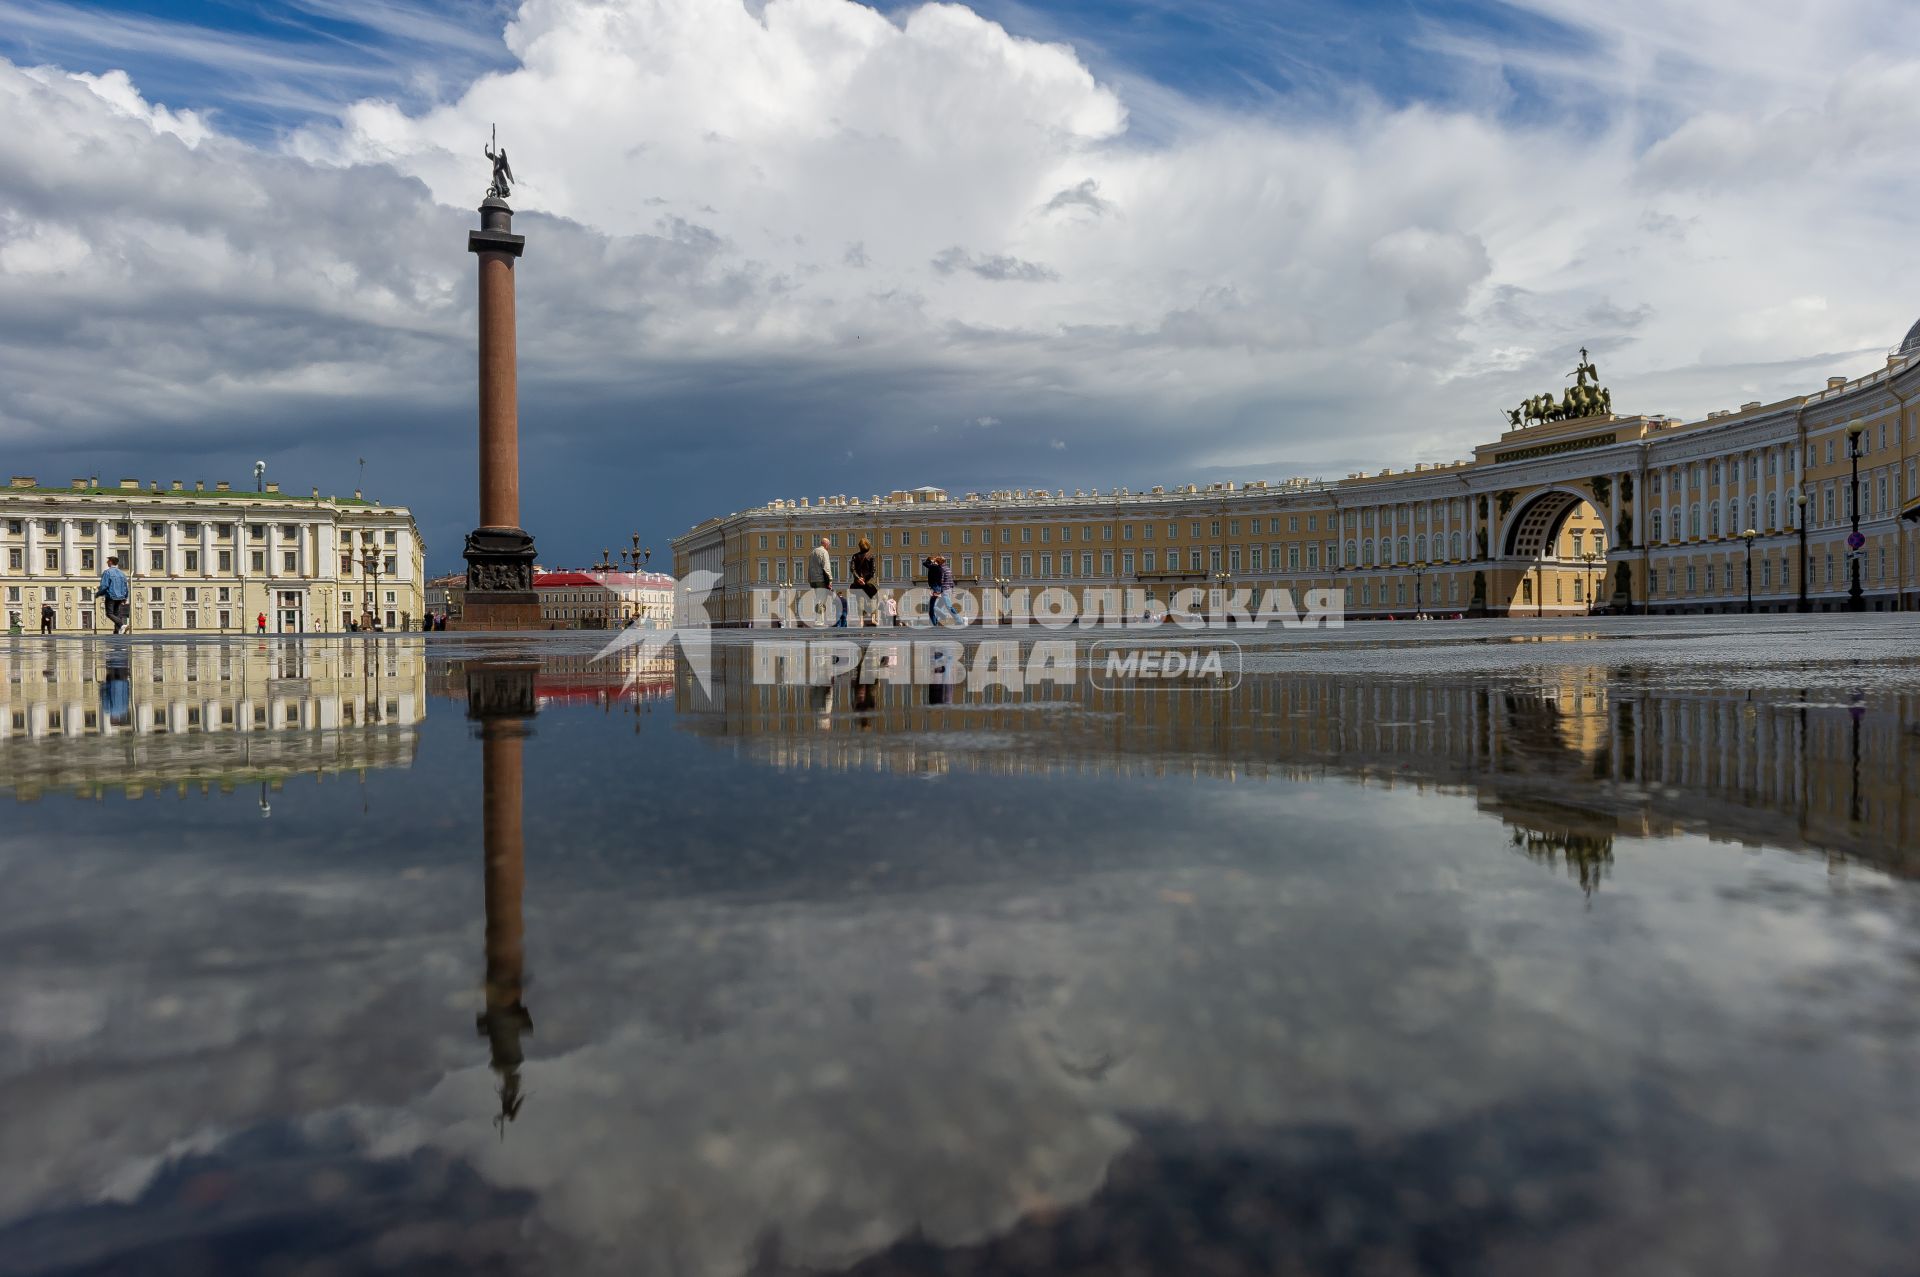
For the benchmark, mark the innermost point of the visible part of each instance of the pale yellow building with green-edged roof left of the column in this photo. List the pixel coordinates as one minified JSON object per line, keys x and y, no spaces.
{"x":208,"y":560}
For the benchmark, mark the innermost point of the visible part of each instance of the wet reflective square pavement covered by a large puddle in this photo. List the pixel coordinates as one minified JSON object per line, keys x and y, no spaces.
{"x":1404,"y":950}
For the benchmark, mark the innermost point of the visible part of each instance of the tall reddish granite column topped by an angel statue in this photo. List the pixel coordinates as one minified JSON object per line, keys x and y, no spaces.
{"x":500,"y":552}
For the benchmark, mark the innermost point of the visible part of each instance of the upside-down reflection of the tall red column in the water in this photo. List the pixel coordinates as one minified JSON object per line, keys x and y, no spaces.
{"x":500,"y":696}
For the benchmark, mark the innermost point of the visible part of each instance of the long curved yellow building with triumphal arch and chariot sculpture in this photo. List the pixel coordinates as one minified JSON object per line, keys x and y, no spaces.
{"x":1618,"y":514}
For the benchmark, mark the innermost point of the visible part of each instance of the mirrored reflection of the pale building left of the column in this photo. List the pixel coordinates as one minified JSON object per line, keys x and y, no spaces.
{"x":132,"y":715}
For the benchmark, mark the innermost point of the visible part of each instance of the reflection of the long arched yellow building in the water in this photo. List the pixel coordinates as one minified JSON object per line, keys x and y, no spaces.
{"x":1573,"y":758}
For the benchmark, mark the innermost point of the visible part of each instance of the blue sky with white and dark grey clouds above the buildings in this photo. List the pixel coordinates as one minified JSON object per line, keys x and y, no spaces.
{"x":804,"y":247}
